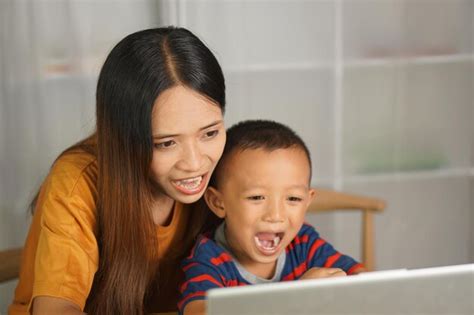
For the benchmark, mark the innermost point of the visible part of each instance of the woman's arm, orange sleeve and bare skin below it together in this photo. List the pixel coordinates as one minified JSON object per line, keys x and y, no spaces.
{"x":62,"y":252}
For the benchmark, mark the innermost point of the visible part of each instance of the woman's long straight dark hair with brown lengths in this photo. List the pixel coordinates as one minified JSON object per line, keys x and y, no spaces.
{"x":137,"y":70}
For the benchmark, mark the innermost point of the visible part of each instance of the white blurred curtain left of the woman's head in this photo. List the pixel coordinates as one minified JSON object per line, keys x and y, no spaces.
{"x":51,"y":52}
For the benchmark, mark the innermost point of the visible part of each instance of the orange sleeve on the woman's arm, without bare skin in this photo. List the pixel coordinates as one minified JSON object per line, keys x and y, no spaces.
{"x":67,"y":253}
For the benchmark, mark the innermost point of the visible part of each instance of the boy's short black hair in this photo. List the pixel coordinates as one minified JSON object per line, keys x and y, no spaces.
{"x":258,"y":134}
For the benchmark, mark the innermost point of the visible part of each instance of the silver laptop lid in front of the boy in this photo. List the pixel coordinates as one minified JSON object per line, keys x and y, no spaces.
{"x":439,"y":290}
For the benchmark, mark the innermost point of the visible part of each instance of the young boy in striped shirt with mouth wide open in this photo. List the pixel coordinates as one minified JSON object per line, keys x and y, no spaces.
{"x":260,"y":188}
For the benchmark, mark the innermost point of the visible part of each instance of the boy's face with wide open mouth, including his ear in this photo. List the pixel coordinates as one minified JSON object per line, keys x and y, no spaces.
{"x":263,"y":196}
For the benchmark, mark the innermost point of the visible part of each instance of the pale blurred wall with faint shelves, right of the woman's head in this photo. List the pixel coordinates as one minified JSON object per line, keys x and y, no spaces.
{"x":381,"y":92}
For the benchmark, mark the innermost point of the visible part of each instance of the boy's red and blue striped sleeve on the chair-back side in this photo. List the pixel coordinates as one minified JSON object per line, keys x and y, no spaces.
{"x":322,"y":254}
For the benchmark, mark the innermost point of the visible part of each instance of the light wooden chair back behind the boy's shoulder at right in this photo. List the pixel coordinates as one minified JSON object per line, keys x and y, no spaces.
{"x":330,"y":200}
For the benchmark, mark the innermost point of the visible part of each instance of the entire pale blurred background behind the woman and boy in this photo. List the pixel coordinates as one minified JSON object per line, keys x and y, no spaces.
{"x":381,"y":90}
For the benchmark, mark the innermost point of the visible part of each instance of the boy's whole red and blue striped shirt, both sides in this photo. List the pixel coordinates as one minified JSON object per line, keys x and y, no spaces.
{"x":211,"y":266}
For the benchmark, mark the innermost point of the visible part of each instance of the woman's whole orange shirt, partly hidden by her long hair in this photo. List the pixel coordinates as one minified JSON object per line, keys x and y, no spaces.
{"x":61,"y":255}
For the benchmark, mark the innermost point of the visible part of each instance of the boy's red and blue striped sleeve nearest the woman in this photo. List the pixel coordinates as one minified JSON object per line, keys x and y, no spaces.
{"x":201,"y":273}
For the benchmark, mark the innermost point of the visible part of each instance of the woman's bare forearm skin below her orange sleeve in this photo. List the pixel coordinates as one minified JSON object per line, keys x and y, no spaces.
{"x":51,"y":306}
